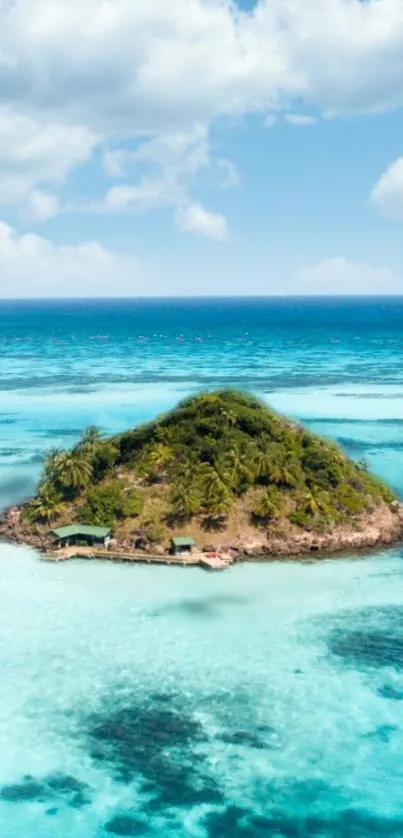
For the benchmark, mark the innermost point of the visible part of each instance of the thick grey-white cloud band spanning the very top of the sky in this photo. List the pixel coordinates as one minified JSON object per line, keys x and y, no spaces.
{"x":151,"y":66}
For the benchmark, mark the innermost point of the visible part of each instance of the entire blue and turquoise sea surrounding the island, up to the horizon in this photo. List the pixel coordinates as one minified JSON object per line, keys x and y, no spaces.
{"x":265,"y":701}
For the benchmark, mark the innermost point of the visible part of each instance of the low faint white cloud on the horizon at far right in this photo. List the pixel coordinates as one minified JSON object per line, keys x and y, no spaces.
{"x":339,"y":276}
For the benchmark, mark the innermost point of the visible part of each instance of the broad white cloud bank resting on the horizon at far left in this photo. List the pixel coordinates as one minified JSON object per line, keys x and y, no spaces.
{"x":32,"y":266}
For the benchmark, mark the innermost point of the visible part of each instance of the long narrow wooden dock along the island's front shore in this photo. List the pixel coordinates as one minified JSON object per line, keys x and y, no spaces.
{"x":192,"y":560}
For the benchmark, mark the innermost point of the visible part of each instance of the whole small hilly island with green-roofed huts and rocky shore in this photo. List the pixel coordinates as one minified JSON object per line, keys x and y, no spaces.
{"x":220,"y":475}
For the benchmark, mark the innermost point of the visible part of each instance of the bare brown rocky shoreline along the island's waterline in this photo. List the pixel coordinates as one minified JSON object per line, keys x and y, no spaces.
{"x":383,"y":527}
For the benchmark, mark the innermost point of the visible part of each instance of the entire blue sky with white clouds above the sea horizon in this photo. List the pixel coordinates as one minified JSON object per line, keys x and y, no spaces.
{"x":201,"y":147}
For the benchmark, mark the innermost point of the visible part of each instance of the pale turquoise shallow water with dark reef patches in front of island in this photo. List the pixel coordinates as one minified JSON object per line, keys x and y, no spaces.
{"x":263,"y":701}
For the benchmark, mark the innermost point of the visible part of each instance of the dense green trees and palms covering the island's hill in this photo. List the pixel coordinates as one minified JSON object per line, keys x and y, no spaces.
{"x":213,"y":454}
